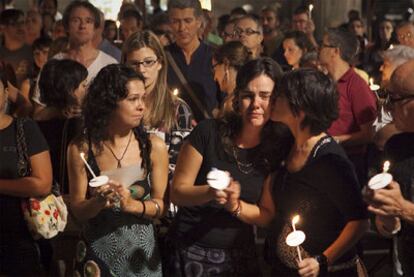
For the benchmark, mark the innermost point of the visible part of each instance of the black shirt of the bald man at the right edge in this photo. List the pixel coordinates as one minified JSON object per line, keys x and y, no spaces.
{"x":399,"y":150}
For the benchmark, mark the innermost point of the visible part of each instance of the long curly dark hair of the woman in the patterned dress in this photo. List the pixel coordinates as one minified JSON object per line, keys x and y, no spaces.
{"x":105,"y":91}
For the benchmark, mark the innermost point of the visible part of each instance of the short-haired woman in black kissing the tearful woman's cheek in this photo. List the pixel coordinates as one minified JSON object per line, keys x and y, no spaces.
{"x":317,"y":182}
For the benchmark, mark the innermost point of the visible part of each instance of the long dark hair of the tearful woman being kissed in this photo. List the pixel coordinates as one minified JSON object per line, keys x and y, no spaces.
{"x":230,"y":124}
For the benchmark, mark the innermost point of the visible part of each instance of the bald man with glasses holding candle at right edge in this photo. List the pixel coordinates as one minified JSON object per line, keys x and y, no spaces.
{"x":393,"y":205}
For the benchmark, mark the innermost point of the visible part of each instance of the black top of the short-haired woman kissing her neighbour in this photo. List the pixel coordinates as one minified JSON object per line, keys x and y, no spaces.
{"x":324,"y":193}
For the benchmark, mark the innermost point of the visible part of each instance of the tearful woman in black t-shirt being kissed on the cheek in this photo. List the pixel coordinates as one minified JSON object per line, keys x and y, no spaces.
{"x":213,"y":232}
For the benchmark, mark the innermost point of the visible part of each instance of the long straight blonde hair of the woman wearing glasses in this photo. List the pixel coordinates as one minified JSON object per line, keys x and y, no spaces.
{"x":160,"y":103}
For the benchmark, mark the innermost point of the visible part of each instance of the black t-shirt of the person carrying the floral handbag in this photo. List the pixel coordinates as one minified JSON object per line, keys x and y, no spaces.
{"x":11,"y":217}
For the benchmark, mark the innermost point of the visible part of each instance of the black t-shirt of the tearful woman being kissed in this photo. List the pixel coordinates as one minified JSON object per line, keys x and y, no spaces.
{"x":210,"y":225}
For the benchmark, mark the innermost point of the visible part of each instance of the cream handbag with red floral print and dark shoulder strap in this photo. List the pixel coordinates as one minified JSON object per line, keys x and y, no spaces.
{"x":45,"y":217}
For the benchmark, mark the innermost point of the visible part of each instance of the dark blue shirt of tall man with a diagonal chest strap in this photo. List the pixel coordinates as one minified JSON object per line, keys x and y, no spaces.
{"x":199,"y":75}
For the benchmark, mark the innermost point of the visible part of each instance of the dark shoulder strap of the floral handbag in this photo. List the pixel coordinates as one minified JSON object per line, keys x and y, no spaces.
{"x":23,"y":163}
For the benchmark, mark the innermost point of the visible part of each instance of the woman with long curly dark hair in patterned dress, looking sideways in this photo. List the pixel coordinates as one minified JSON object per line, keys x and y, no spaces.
{"x":118,"y":230}
